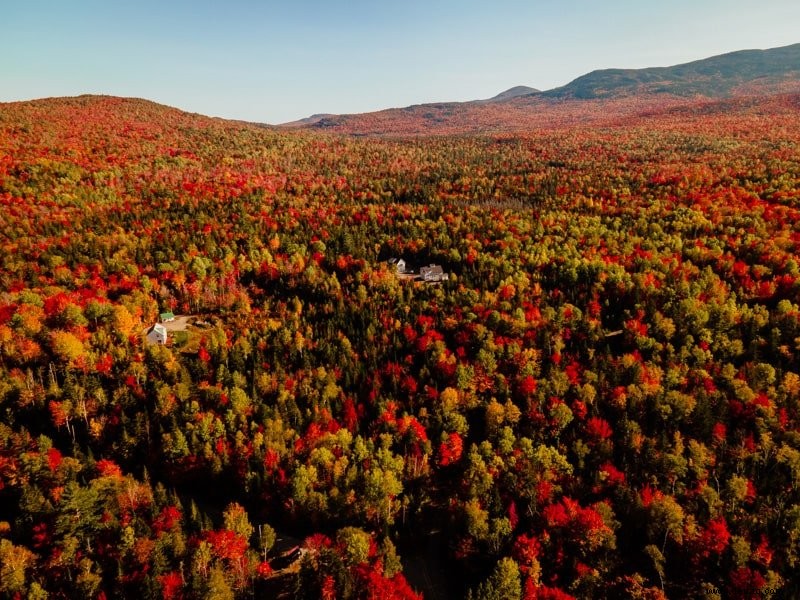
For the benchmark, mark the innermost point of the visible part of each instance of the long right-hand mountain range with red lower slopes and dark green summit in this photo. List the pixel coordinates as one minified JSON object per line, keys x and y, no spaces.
{"x":742,"y":73}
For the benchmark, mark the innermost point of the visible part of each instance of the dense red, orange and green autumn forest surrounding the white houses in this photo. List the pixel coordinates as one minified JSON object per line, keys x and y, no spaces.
{"x":600,"y":401}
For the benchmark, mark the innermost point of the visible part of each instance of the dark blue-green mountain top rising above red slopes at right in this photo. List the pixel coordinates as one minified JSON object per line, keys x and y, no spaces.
{"x":717,"y":76}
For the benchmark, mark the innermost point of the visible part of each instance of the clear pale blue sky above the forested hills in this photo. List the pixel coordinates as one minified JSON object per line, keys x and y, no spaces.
{"x":274,"y":61}
